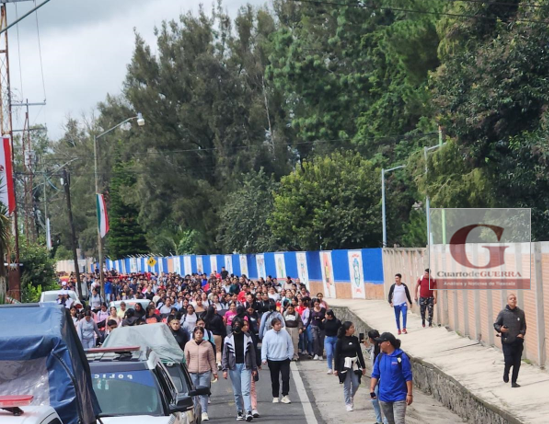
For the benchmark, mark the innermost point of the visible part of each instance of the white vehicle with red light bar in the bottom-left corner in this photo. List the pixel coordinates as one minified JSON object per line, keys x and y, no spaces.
{"x":16,"y":410}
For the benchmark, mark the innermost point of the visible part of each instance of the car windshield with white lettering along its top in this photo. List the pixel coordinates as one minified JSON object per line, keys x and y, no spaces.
{"x":127,"y":393}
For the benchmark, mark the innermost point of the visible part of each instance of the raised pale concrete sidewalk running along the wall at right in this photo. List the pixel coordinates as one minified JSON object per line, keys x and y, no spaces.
{"x":475,"y":368}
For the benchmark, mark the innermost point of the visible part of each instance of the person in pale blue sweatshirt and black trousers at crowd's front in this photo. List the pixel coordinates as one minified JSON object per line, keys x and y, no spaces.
{"x":277,"y":350}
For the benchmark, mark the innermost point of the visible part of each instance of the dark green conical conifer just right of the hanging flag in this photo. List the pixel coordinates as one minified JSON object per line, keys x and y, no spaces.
{"x":126,"y":237}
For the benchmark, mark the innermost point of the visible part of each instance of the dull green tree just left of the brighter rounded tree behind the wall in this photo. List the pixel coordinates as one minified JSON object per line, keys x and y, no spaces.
{"x":243,"y":227}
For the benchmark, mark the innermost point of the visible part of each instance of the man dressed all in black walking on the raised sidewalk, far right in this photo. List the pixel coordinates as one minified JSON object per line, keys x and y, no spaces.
{"x":511,"y":324}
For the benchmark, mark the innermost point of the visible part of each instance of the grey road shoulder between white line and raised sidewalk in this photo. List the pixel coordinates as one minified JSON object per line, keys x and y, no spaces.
{"x":327,"y":395}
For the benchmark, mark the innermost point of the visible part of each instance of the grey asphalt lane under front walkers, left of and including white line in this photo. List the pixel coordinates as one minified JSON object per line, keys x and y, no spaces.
{"x":222,"y":408}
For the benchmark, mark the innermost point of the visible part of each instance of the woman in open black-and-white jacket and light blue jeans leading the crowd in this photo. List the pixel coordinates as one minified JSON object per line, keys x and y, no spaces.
{"x":239,"y":362}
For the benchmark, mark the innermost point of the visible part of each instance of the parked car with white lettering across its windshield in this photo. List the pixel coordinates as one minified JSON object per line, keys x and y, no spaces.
{"x":129,"y":382}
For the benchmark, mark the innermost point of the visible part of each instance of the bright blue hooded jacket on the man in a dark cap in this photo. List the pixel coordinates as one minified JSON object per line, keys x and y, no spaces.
{"x":392,"y":375}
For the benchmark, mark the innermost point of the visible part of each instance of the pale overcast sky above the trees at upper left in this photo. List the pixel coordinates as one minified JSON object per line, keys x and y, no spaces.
{"x":86,"y":46}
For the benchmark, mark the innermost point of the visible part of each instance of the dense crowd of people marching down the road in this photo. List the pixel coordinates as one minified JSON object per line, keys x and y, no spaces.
{"x":236,"y":326}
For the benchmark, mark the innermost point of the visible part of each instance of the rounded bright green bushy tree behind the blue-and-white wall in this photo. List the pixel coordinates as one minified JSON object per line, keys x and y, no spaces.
{"x":330,"y":203}
